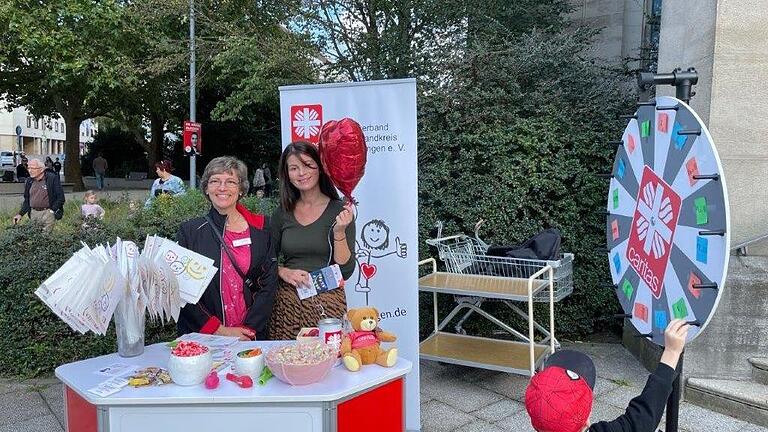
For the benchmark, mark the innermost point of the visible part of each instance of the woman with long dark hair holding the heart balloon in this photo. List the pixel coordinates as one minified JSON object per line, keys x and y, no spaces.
{"x":311,"y":229}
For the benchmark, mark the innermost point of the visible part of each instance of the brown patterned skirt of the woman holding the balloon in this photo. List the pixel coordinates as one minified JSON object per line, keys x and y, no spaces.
{"x":290,"y":313}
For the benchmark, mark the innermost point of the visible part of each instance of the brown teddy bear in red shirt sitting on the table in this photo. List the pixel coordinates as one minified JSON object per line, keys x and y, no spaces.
{"x":363,"y":345}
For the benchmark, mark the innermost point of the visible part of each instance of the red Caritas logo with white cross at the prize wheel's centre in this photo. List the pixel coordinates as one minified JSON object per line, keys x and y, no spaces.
{"x":653,"y":227}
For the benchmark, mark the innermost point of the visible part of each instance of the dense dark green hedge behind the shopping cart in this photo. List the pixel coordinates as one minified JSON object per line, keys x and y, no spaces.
{"x":516,"y":137}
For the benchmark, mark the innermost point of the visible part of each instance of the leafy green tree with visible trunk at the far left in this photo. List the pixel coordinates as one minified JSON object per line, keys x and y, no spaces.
{"x":65,"y":56}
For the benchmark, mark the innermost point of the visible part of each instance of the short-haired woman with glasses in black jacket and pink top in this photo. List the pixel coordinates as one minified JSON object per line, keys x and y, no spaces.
{"x":238,"y":301}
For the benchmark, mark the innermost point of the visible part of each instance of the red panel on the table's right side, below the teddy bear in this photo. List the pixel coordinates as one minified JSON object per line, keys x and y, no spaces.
{"x":378,"y":410}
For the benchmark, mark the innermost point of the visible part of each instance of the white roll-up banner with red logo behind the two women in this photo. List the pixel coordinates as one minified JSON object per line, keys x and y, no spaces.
{"x":387,"y":219}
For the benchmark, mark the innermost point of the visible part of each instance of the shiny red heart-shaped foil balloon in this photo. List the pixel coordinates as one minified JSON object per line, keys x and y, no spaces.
{"x":343,"y":153}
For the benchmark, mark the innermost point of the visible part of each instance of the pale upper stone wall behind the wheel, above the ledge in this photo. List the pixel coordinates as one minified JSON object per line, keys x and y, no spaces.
{"x":727,"y":43}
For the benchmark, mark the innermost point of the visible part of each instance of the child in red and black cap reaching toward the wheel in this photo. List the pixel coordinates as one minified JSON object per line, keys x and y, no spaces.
{"x":559,"y":397}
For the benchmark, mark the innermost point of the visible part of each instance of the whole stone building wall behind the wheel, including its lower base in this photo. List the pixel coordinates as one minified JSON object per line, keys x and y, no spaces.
{"x":727,"y":42}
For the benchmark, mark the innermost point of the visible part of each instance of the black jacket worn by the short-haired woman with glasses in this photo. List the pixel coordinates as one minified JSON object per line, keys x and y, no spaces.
{"x":196,"y":235}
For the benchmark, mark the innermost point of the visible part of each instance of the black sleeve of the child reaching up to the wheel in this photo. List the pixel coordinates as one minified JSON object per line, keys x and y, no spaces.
{"x":644,"y":412}
